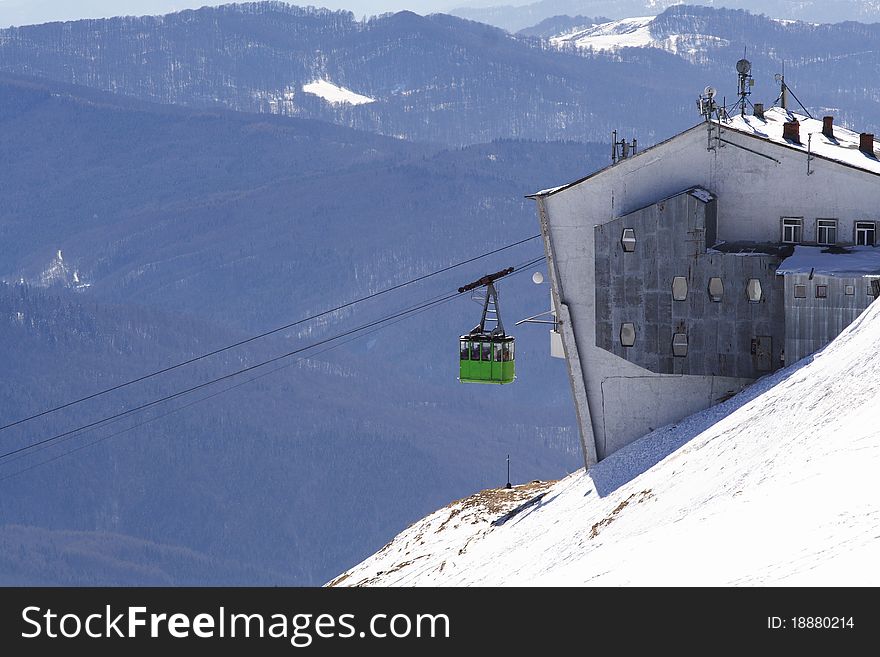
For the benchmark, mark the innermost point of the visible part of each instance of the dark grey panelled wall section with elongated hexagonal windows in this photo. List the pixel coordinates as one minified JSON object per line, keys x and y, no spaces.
{"x":636,"y":287}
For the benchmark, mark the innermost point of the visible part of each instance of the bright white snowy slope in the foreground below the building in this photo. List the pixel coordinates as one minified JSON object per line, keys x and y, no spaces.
{"x":775,"y":486}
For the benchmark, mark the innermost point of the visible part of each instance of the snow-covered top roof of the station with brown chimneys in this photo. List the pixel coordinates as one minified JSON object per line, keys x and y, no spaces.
{"x":844,"y":147}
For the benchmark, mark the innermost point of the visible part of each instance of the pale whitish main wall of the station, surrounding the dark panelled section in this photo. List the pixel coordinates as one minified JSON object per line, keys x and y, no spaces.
{"x":753,"y":194}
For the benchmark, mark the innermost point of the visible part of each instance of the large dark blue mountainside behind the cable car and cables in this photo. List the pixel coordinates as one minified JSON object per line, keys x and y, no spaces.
{"x":193,"y":229}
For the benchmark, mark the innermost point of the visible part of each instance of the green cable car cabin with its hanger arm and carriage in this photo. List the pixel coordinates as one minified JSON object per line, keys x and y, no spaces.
{"x":487,"y":356}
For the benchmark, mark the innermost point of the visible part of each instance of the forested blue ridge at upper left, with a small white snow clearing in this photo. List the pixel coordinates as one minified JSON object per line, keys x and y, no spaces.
{"x":435,"y":79}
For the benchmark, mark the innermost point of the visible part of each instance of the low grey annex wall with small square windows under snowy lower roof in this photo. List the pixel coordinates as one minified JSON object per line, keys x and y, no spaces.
{"x":813,"y":322}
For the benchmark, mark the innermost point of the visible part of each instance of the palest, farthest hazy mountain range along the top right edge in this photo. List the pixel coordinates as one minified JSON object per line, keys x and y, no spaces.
{"x":515,"y":18}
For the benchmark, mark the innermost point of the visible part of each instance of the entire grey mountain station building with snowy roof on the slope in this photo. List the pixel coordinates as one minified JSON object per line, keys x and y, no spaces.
{"x":684,"y":272}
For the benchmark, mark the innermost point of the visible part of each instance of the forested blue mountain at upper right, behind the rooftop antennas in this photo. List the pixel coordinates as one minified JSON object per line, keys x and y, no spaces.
{"x":829,"y":67}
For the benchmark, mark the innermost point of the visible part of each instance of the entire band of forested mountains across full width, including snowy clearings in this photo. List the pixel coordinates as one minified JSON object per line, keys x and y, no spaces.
{"x":443,"y":80}
